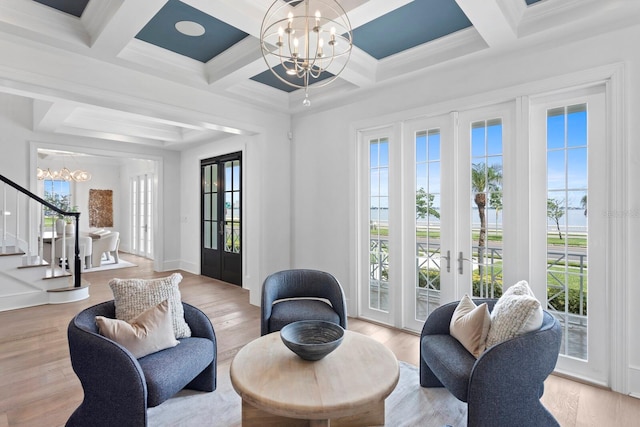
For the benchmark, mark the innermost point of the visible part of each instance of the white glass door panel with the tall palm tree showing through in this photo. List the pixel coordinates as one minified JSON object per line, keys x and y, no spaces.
{"x":486,"y":161}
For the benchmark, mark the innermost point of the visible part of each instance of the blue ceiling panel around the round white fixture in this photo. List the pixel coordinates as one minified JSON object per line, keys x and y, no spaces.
{"x":161,"y":31}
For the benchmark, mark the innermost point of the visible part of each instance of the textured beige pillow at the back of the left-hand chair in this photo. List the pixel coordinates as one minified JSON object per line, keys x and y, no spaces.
{"x":133,"y":296}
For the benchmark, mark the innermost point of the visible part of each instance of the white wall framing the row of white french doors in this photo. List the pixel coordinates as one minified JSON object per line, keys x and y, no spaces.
{"x":324,"y":172}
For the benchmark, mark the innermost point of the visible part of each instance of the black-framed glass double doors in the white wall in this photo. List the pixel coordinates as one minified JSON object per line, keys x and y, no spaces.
{"x":221,"y":248}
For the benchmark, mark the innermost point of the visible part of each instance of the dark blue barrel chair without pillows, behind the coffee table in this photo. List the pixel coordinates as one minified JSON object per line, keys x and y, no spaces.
{"x":292,"y":295}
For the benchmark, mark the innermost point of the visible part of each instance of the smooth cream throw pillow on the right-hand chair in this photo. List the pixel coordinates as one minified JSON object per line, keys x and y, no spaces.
{"x":470,"y":325}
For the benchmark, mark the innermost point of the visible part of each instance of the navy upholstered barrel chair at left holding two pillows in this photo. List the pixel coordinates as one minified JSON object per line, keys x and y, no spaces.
{"x":118,"y":388}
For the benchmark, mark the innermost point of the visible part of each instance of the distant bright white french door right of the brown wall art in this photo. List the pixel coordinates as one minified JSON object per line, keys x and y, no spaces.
{"x":141,"y":191}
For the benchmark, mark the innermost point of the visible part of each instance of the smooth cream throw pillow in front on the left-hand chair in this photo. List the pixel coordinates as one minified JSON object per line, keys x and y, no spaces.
{"x":151,"y":331}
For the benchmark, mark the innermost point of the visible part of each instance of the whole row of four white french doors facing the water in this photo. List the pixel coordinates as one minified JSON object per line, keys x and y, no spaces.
{"x":462,"y":204}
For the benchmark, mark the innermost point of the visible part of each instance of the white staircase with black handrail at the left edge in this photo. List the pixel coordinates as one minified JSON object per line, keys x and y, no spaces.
{"x":25,"y":278}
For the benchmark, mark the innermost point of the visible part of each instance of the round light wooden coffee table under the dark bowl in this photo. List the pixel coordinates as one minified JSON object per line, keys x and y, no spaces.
{"x":347,"y":387}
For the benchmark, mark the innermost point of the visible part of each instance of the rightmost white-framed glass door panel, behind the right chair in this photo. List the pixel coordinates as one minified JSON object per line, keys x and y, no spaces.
{"x":569,"y":136}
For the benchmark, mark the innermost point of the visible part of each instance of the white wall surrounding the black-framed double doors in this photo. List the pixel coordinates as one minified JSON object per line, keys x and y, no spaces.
{"x":266,"y":203}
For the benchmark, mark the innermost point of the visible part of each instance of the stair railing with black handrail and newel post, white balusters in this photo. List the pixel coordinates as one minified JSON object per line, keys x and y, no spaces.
{"x":77,"y":280}
